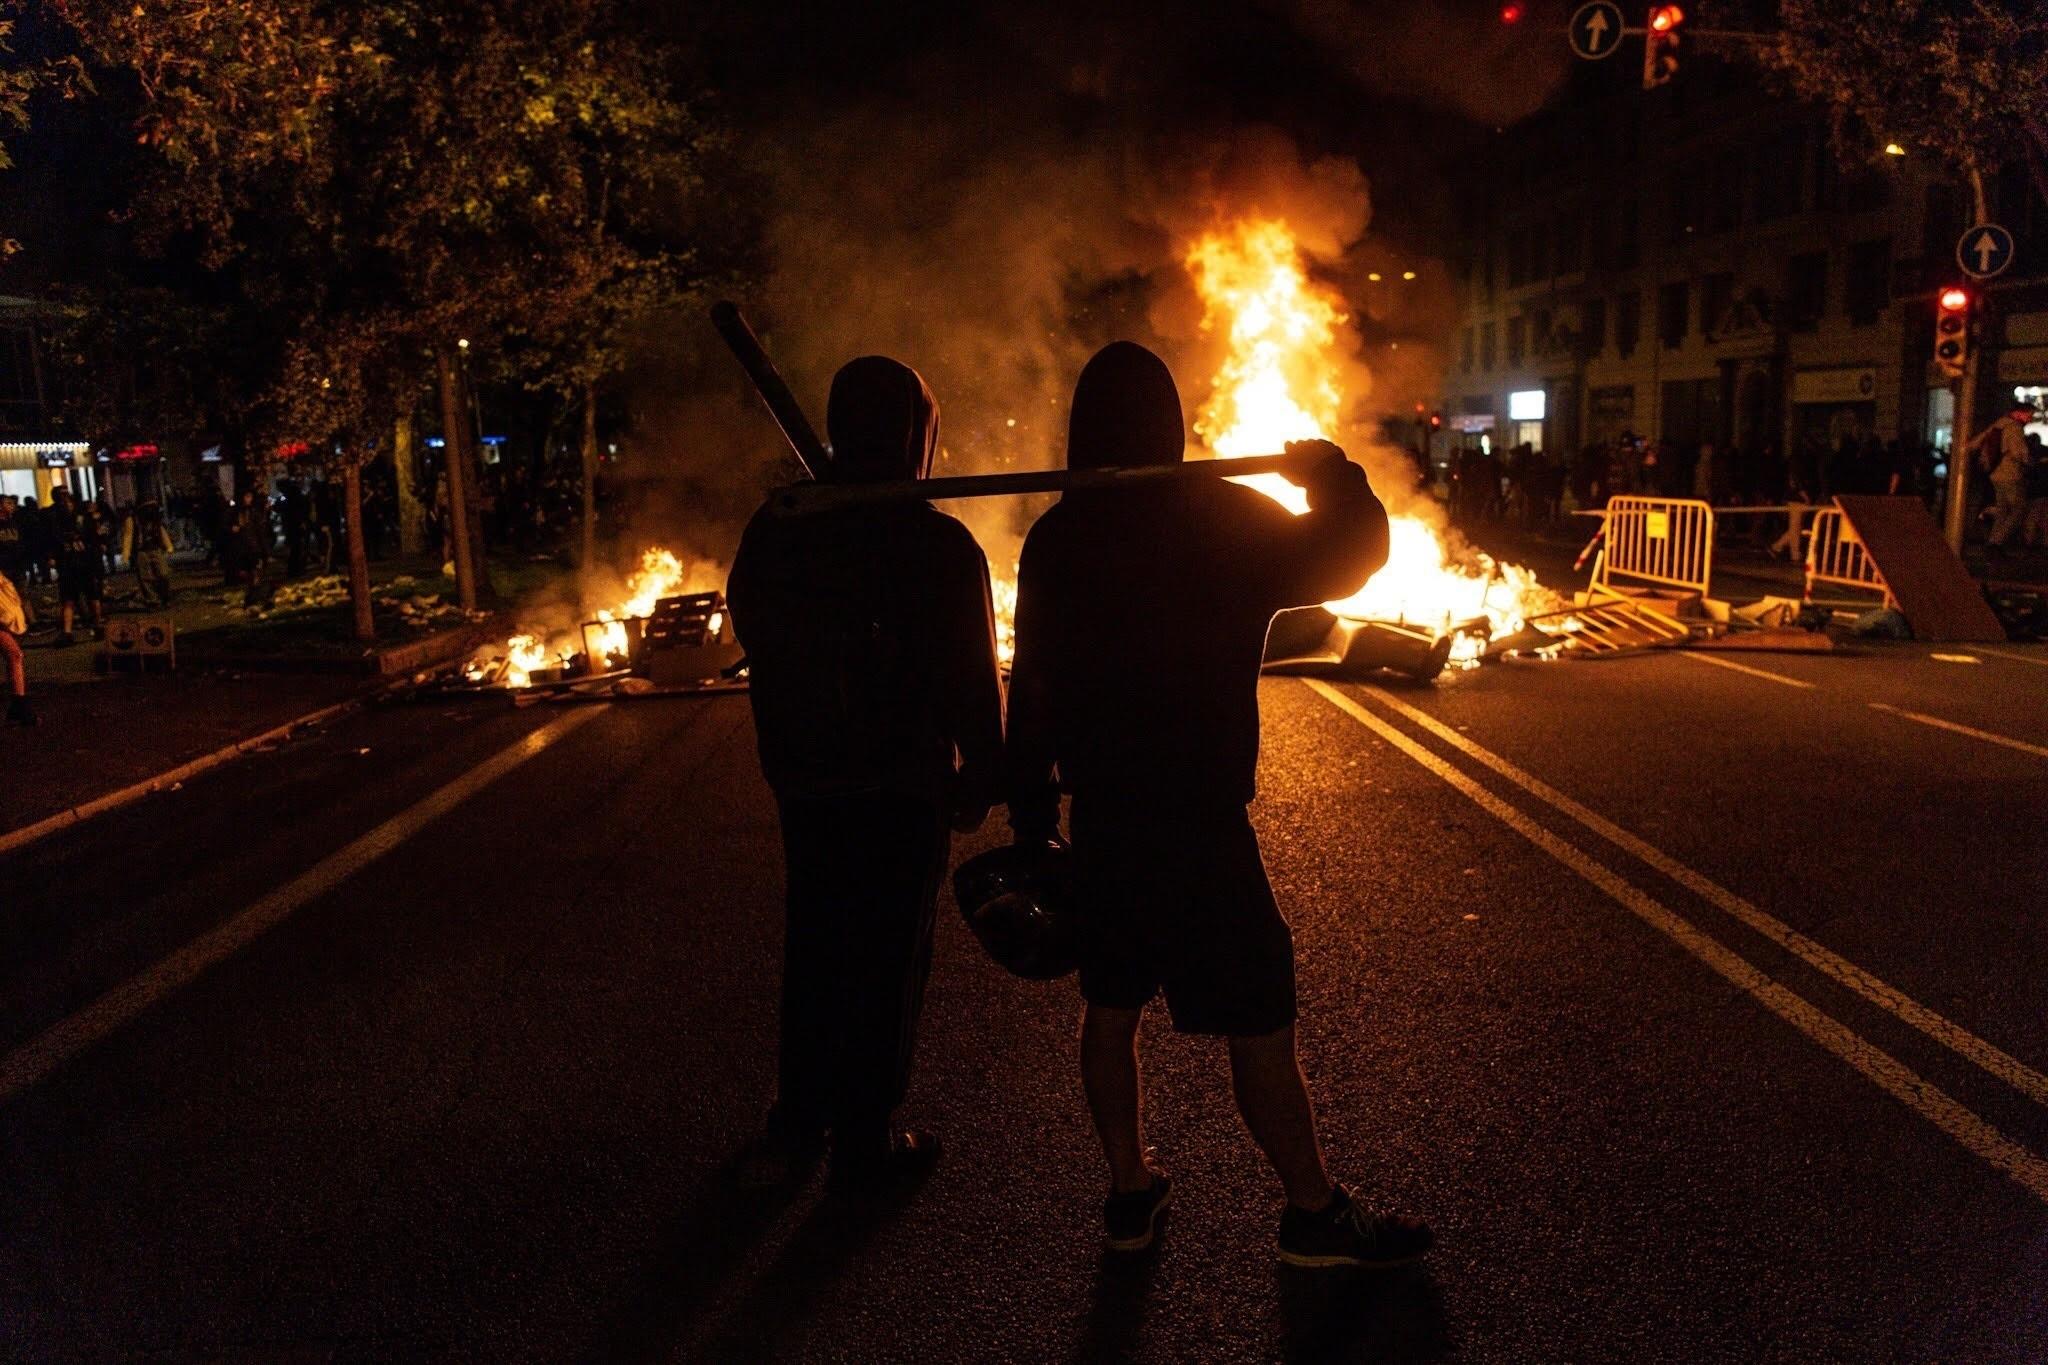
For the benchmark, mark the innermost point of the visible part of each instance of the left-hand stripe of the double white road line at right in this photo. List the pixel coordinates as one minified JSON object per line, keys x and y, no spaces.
{"x":1879,"y":1067}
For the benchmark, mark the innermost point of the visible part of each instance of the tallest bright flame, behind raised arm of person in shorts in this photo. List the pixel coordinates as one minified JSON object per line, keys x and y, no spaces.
{"x":1279,"y":384}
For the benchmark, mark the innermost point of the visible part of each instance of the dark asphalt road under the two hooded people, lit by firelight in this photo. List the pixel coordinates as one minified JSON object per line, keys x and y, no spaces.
{"x":1699,"y":1006}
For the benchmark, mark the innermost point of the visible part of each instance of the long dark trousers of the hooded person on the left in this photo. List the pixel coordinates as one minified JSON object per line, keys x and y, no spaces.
{"x":863,"y":889}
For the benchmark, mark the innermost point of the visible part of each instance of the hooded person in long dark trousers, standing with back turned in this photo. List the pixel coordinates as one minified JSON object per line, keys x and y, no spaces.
{"x":871,"y":646}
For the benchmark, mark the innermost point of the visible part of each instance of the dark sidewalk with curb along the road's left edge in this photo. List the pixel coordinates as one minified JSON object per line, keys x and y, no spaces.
{"x":241,"y":674}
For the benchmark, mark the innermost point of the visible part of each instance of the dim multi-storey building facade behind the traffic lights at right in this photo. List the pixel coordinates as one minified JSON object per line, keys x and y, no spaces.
{"x":1695,"y":265}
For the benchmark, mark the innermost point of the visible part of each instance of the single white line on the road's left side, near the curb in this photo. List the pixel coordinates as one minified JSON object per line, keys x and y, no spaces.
{"x":71,"y":1037}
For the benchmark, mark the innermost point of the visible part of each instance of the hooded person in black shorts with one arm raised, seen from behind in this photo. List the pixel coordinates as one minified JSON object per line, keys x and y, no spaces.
{"x":1142,"y":627}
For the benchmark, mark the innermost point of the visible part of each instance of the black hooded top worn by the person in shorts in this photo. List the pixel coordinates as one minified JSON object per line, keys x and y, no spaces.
{"x":1142,"y":615}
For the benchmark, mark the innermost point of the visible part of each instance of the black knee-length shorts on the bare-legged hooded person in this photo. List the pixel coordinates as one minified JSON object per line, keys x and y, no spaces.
{"x":1179,"y":901}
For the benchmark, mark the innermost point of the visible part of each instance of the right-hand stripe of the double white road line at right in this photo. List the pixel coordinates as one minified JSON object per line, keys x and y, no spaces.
{"x":1881,"y":994}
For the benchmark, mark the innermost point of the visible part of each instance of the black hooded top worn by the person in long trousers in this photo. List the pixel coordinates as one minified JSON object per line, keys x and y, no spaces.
{"x":869,"y":633}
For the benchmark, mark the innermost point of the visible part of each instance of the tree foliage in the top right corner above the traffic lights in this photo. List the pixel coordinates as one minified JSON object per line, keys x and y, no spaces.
{"x":1959,"y":81}
